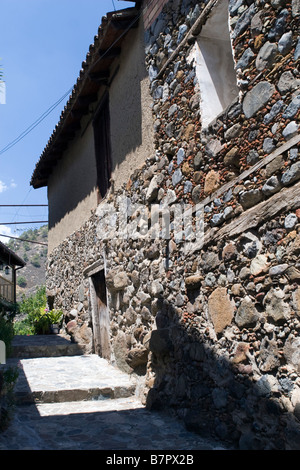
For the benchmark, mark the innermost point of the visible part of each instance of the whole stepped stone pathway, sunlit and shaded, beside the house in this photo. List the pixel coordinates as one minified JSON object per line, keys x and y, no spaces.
{"x":78,"y":402}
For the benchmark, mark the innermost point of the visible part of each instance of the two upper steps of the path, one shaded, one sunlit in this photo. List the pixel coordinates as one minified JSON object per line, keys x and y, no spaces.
{"x":52,"y":369}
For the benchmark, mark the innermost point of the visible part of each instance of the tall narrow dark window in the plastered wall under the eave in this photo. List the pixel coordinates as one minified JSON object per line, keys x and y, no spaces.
{"x":102,"y":148}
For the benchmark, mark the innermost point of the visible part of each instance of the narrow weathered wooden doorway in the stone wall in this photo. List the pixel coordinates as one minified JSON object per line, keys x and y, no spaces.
{"x":100,"y":315}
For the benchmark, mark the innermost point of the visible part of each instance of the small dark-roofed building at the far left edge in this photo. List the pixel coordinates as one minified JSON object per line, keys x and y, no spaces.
{"x":10,"y":263}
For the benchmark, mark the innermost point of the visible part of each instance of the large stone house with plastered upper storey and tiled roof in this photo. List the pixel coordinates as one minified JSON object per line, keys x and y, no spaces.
{"x":173,"y":182}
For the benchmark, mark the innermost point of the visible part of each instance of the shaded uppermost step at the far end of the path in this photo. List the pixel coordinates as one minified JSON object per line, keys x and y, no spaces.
{"x":43,"y":346}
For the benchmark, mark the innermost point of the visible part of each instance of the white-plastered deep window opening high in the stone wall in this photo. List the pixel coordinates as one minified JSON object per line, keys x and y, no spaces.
{"x":214,"y":65}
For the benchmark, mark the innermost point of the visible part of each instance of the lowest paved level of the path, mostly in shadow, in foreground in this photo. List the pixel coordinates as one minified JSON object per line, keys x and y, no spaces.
{"x":121,"y":424}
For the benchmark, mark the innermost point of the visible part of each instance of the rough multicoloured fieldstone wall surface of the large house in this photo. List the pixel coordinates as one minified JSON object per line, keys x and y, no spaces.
{"x":213,"y":330}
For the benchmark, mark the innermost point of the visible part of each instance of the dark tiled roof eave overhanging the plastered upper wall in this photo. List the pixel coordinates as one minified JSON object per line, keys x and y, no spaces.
{"x":111,"y":33}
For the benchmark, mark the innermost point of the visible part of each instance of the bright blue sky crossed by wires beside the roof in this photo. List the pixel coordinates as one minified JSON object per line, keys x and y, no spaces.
{"x":42,"y":46}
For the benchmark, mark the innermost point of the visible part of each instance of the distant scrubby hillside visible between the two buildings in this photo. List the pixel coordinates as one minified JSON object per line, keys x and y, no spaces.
{"x":35,"y":255}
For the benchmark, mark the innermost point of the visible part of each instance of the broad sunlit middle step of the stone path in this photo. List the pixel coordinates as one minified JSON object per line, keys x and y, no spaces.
{"x":69,"y":379}
